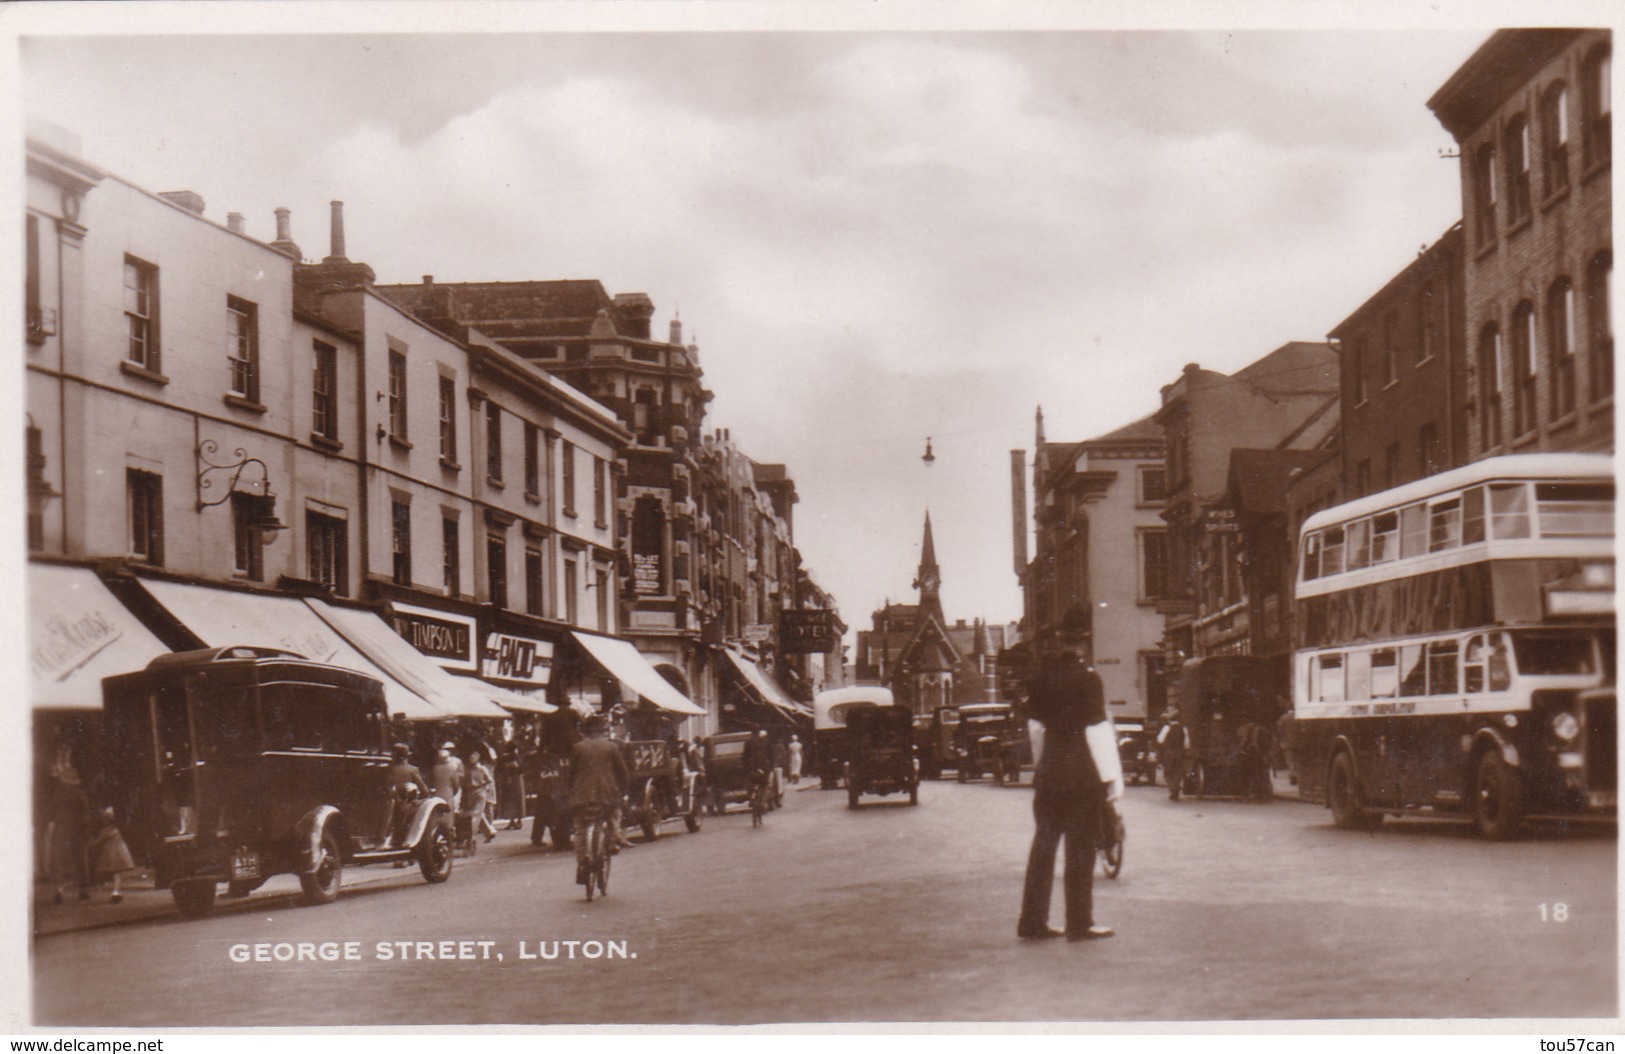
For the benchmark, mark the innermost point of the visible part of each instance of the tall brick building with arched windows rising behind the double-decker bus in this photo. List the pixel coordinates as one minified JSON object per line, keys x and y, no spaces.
{"x":1532,"y":113}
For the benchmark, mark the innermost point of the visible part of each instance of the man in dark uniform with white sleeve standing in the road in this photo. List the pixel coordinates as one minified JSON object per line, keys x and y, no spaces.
{"x":1078,"y":774}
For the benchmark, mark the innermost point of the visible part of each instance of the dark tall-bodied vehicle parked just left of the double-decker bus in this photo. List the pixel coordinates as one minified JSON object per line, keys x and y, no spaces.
{"x":1228,"y":704}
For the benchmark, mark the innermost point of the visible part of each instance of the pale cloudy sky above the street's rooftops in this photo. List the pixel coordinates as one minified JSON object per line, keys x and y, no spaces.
{"x":877,"y":233}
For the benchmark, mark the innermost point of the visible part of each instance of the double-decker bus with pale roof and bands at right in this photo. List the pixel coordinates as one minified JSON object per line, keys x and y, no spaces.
{"x":1455,"y":647}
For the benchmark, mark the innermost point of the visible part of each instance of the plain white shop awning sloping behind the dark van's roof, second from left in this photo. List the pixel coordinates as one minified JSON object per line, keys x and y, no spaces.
{"x":222,"y":618}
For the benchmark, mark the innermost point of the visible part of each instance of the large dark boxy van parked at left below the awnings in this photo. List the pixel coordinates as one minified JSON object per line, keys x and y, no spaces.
{"x":241,"y":764}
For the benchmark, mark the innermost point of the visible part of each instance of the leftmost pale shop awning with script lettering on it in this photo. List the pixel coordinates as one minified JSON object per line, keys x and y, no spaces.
{"x":79,"y":634}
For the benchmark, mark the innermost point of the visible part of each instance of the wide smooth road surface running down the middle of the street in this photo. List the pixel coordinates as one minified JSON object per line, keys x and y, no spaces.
{"x":893,"y":914}
